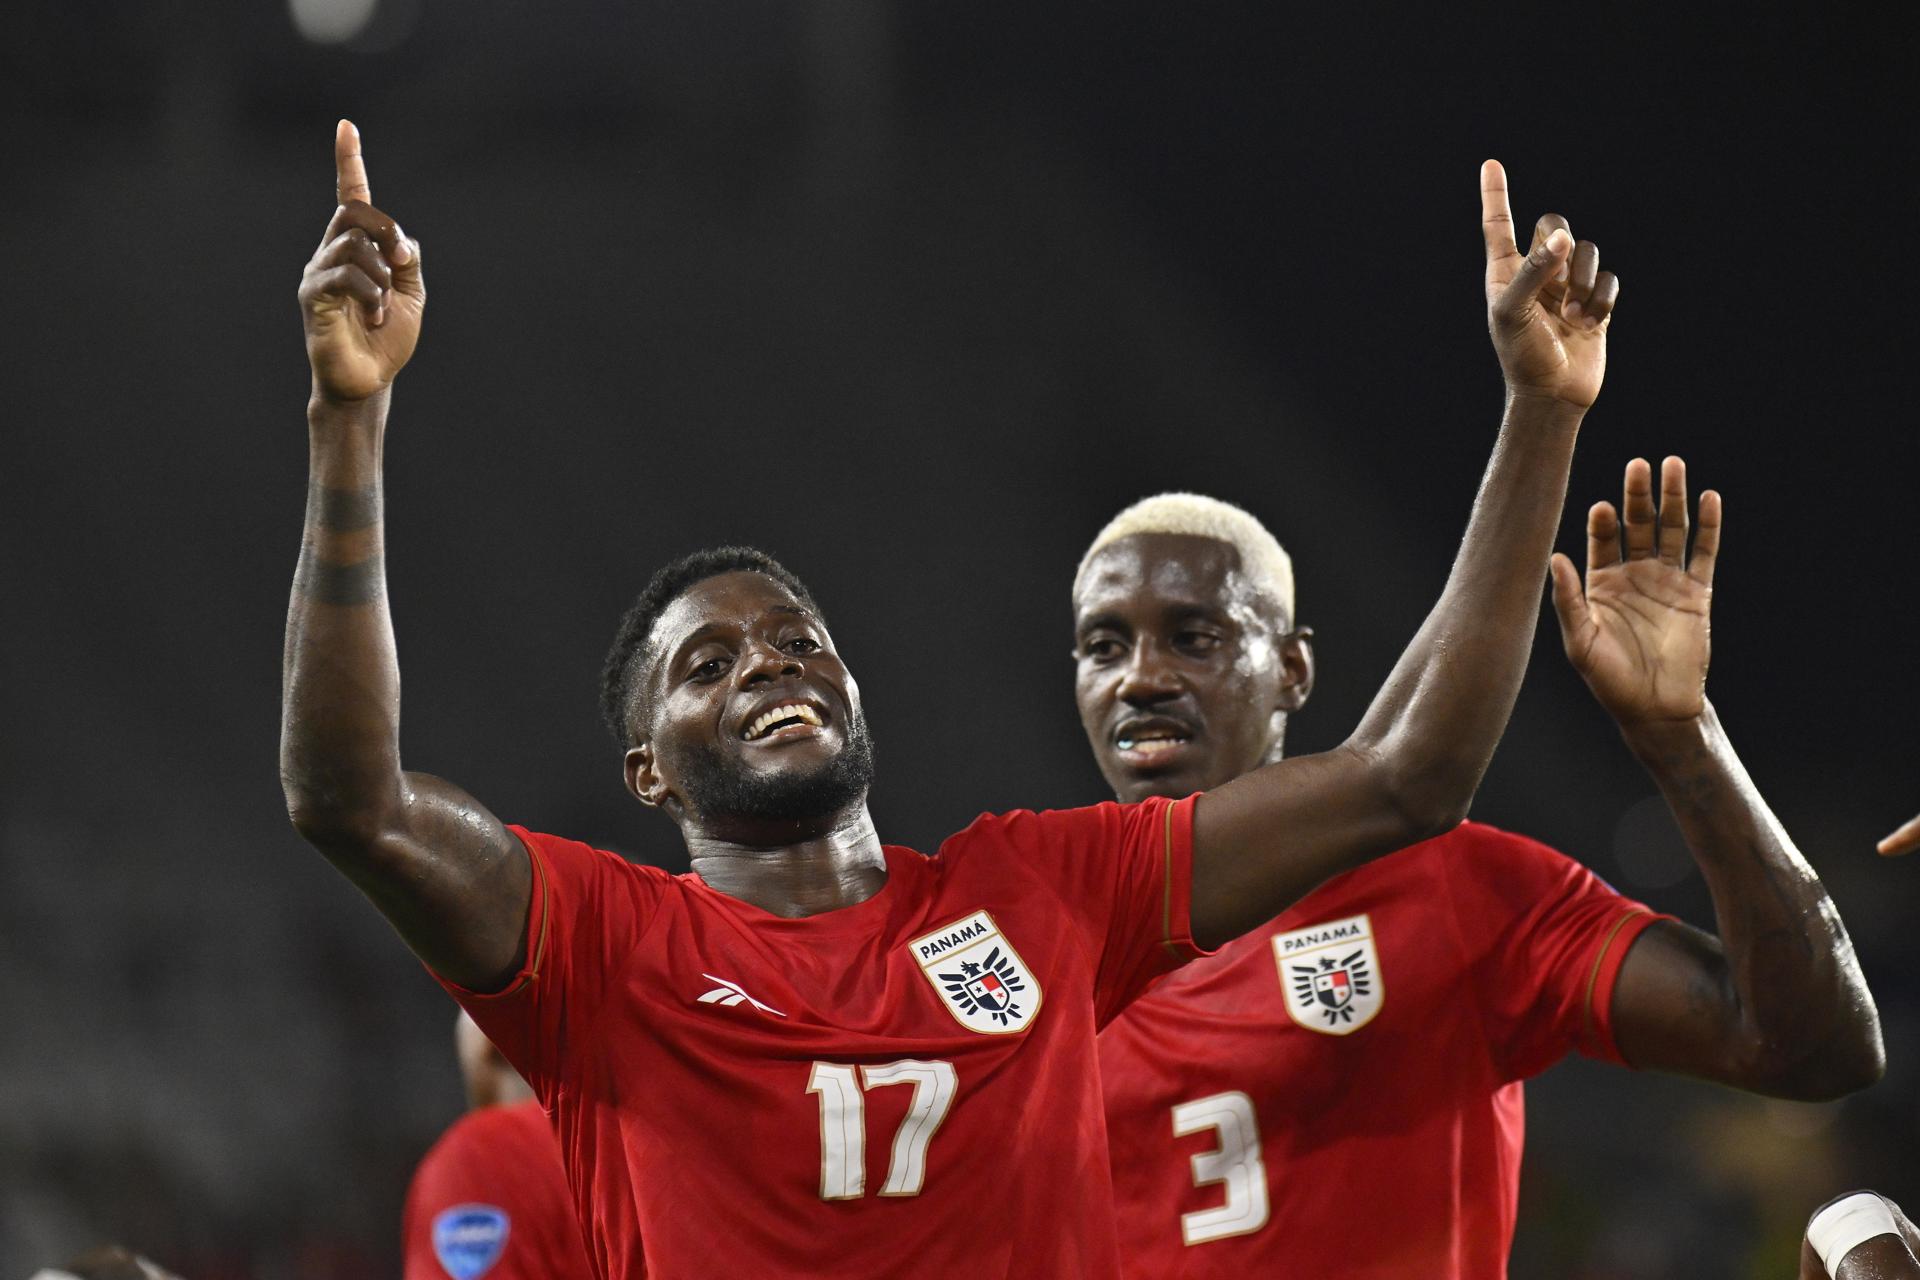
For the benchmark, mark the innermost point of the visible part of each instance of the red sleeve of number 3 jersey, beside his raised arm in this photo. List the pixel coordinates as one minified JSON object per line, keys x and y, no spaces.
{"x":1545,"y":941}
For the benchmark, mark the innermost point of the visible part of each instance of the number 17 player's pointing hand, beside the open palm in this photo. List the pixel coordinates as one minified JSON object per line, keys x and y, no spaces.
{"x":1548,"y":316}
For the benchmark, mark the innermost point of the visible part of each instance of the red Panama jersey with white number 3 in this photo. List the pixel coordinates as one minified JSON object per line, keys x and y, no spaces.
{"x":1339,"y":1093}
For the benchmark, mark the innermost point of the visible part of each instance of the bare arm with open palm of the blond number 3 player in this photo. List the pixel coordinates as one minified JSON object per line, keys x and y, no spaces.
{"x":1777,"y":1003}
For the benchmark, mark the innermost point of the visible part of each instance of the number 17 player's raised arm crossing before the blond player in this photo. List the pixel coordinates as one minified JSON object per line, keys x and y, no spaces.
{"x":1412,"y":767}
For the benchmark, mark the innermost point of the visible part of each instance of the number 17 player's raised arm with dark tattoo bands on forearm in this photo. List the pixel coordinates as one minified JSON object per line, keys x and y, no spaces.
{"x":441,"y":866}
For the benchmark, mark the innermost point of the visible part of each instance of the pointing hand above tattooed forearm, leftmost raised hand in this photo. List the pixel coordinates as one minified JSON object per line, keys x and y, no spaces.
{"x":362,"y":295}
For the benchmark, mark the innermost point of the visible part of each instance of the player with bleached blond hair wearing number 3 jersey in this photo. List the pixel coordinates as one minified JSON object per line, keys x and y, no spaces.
{"x":1339,"y":1093}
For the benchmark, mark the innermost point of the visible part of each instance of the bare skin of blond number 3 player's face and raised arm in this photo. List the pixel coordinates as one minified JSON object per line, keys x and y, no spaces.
{"x":1773,"y":1005}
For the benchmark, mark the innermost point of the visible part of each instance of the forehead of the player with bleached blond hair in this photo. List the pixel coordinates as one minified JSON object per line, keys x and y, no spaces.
{"x":1166,"y":573}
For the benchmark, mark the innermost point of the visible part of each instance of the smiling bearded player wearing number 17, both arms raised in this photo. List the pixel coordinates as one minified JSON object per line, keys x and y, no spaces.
{"x":821,"y":1055}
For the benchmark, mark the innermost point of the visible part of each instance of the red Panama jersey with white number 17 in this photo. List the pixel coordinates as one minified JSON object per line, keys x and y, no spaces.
{"x":901,"y":1087}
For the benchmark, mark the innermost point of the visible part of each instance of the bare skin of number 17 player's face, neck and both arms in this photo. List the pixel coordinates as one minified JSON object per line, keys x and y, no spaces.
{"x":456,"y":884}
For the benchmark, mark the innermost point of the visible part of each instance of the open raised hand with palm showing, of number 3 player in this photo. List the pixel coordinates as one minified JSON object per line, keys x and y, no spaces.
{"x":1639,"y":630}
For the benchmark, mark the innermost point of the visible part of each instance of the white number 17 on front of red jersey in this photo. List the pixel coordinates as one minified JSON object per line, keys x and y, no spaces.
{"x":844,"y":1124}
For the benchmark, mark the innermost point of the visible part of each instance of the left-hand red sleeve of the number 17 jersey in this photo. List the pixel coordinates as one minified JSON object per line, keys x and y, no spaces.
{"x":587,"y":916}
